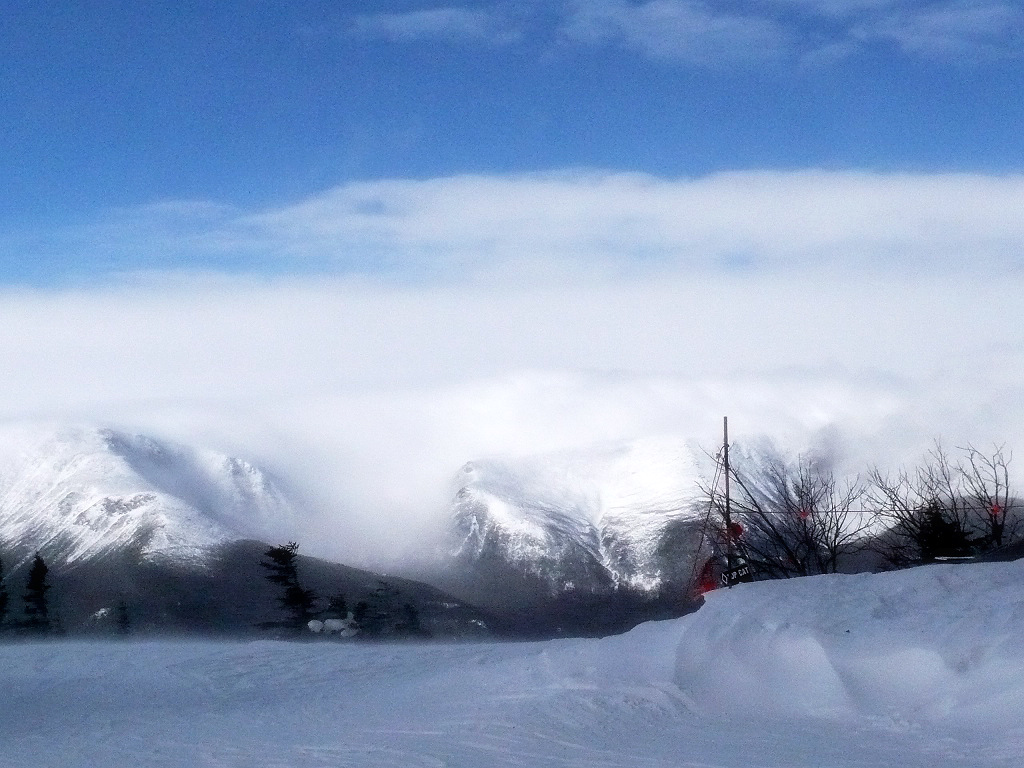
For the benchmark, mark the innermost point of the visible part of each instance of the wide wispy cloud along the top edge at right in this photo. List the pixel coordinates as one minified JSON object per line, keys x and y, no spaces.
{"x":808,"y":31}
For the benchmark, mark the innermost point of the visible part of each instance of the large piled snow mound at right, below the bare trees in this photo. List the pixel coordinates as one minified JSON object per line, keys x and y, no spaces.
{"x":934,"y":644}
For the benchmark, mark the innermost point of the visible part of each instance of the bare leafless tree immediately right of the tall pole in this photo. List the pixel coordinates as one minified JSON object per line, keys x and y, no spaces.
{"x":795,"y":518}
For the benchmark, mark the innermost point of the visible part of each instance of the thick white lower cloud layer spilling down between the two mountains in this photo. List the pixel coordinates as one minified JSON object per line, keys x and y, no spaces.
{"x":368,"y":397}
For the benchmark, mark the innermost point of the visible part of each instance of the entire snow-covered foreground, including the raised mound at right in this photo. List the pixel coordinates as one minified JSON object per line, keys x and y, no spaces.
{"x":923,"y":668}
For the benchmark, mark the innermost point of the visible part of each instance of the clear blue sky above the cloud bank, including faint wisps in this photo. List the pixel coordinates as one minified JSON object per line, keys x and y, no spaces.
{"x":112,"y":106}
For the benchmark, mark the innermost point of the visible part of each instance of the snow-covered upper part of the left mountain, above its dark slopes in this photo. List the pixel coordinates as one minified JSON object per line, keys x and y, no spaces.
{"x":82,"y":493}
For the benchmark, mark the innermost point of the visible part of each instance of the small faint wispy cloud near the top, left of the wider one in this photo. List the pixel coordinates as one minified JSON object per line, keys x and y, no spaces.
{"x":450,"y":23}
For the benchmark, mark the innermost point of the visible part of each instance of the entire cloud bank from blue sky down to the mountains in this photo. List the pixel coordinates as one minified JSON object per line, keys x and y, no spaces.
{"x":408,"y":327}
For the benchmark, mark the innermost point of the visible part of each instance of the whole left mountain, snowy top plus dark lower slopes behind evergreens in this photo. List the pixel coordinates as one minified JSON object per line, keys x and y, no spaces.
{"x":173,"y":536}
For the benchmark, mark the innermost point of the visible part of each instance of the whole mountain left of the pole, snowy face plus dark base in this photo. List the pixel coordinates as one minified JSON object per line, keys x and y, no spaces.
{"x":582,"y":539}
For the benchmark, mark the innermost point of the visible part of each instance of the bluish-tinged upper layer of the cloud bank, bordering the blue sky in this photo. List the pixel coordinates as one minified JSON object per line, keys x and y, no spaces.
{"x":500,"y":228}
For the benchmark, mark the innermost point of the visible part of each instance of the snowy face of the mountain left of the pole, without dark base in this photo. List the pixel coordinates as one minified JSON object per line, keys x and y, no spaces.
{"x":617,"y":519}
